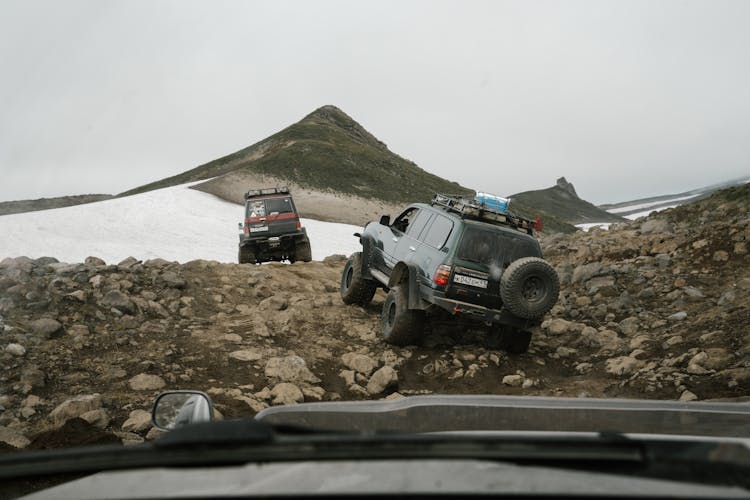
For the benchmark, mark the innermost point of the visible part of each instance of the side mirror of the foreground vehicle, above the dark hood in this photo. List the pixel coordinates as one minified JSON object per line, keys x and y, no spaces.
{"x":174,"y":409}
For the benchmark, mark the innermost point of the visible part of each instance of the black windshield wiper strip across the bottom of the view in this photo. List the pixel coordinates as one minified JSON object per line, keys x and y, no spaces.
{"x":243,"y":441}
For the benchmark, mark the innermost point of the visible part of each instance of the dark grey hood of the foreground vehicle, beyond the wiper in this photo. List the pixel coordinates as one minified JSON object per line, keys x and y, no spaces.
{"x":518,"y":413}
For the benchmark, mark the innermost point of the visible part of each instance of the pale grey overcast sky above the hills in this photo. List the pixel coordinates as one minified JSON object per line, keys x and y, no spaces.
{"x":625,"y":99}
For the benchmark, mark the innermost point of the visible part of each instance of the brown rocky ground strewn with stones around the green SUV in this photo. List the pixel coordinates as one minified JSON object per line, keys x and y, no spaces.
{"x":649,"y":309}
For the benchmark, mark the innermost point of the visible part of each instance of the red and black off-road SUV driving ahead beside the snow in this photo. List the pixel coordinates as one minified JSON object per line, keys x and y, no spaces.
{"x":272,"y":229}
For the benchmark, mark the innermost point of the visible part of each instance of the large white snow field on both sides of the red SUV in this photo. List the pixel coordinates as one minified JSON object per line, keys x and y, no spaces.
{"x":175,"y":223}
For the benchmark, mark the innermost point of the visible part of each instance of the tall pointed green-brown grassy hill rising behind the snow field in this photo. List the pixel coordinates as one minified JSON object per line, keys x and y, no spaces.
{"x":326,"y":150}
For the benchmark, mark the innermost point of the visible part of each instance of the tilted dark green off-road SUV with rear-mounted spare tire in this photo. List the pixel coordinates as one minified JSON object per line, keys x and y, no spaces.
{"x":455,"y":258}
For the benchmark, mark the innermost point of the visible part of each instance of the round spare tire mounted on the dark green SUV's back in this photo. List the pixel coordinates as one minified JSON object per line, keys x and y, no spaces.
{"x":529,"y":287}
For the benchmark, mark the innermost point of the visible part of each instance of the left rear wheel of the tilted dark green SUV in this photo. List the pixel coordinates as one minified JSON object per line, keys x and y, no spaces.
{"x":400,"y":325}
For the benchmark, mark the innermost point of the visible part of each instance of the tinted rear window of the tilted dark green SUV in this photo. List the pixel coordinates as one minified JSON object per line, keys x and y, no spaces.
{"x":494,"y":247}
